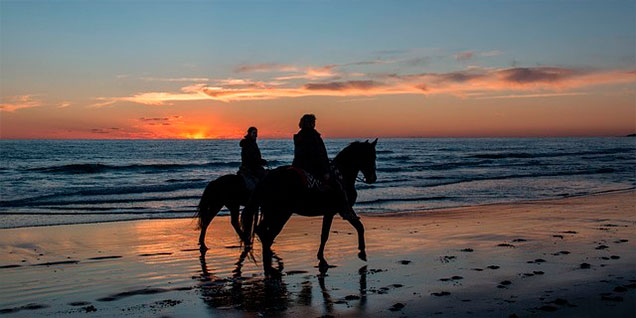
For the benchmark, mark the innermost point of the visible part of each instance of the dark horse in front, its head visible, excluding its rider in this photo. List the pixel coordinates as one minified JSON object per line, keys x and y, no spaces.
{"x":282,"y":193}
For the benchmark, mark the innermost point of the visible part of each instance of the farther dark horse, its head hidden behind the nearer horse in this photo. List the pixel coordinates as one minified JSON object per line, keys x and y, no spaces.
{"x":229,"y":191}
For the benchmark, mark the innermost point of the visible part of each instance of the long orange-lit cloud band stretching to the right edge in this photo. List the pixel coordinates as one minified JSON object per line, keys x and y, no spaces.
{"x":469,"y":83}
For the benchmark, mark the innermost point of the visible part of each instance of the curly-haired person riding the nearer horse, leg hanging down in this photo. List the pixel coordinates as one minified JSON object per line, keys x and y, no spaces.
{"x":310,"y":155}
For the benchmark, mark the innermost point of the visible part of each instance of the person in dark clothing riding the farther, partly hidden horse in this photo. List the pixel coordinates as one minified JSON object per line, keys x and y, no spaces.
{"x":252,"y":163}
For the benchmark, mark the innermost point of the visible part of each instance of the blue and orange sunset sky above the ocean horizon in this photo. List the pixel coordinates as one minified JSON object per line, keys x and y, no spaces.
{"x":211,"y":69}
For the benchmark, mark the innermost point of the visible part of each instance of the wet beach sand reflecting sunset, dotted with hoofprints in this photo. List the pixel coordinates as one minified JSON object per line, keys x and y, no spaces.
{"x":568,"y":257}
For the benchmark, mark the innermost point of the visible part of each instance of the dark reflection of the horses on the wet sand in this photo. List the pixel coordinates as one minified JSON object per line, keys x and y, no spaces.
{"x":268,"y":295}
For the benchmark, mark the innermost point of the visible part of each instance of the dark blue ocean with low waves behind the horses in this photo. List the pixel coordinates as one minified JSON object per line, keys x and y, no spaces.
{"x":50,"y":182}
